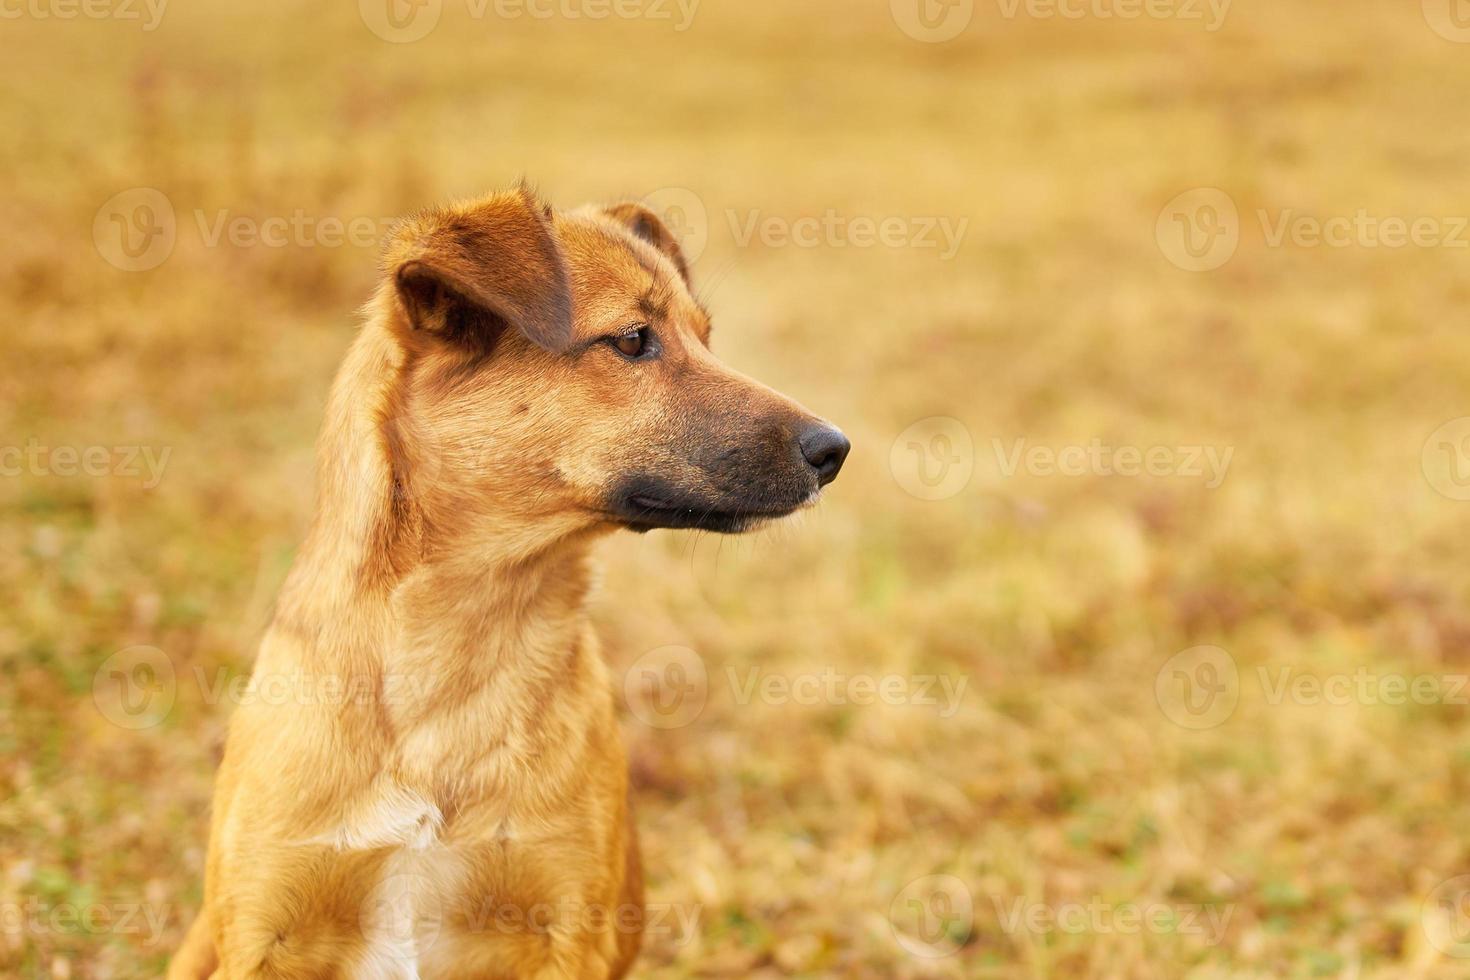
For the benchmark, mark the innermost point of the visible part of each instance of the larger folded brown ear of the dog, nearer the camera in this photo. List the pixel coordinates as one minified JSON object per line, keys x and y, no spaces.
{"x":467,"y":274}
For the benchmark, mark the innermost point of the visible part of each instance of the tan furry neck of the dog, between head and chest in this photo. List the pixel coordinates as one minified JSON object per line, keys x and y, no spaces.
{"x":374,"y":588}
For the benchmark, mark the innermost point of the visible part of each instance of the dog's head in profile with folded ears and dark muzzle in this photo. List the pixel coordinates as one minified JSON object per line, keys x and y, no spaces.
{"x":558,"y":367}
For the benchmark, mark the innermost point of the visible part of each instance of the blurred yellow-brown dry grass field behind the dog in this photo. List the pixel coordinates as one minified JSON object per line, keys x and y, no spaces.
{"x":1133,"y":641}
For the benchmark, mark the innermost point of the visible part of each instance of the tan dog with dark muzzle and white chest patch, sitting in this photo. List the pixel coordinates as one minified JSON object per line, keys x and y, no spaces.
{"x":430,"y":740}
